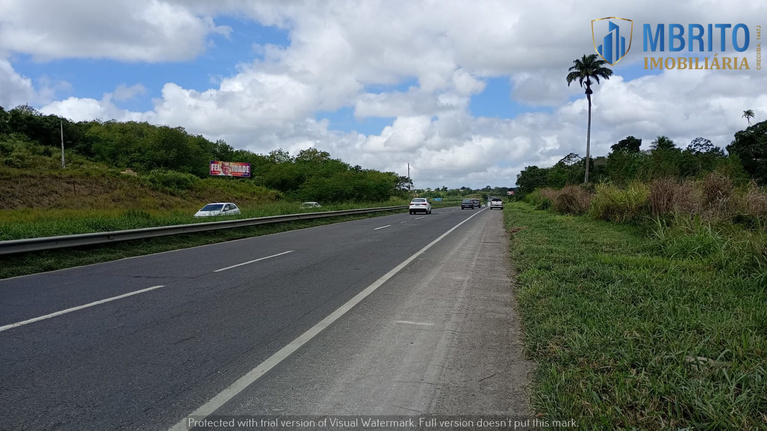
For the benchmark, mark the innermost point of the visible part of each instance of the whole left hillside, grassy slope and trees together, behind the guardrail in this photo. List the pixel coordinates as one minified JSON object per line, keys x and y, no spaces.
{"x":142,"y":166}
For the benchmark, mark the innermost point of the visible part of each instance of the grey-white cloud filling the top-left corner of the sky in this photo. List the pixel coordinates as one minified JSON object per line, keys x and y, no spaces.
{"x":129,"y":30}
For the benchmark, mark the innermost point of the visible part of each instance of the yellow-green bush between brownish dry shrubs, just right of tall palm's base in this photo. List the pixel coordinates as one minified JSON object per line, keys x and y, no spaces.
{"x":620,"y":204}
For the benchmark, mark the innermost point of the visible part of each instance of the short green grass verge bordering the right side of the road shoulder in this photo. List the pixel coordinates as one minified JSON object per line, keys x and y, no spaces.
{"x":626,"y":337}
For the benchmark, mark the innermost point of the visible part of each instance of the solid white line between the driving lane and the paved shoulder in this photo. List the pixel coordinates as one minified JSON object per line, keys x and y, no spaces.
{"x":243,"y":382}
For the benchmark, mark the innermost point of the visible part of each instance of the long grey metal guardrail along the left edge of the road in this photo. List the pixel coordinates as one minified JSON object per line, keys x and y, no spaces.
{"x":54,"y":242}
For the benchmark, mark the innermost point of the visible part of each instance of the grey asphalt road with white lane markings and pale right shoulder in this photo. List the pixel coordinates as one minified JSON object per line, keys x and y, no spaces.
{"x":253,"y":327}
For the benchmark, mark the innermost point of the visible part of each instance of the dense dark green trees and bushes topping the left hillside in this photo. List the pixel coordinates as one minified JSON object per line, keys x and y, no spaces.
{"x":171,"y":159}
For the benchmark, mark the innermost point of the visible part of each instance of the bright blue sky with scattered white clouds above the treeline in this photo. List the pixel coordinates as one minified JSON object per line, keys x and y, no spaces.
{"x":467,"y":93}
